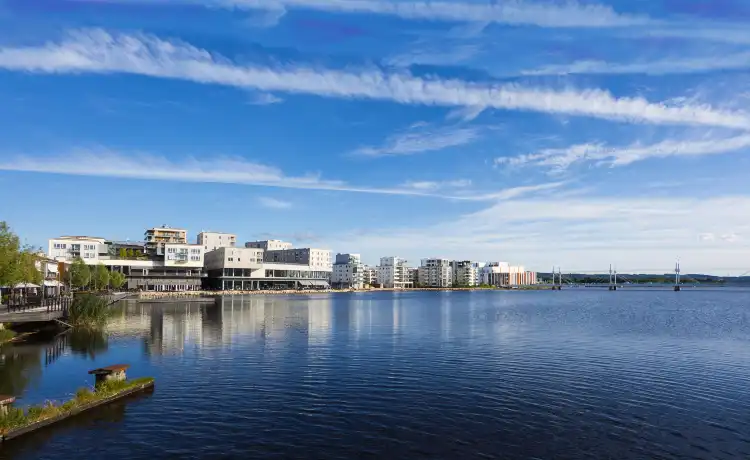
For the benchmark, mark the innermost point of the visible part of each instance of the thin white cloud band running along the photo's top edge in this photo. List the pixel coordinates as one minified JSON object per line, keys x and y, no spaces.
{"x":544,"y":14}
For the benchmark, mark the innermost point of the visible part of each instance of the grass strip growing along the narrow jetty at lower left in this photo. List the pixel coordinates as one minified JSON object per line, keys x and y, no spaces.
{"x":17,"y":418}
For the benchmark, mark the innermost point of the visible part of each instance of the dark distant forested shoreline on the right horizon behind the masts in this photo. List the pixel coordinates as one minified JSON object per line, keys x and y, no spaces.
{"x":646,"y":279}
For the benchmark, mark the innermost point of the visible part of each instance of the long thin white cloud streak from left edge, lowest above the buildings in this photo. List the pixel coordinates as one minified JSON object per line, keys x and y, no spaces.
{"x":216,"y":169}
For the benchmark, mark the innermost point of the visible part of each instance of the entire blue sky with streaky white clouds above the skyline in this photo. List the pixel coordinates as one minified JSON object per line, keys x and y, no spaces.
{"x":573,"y":134}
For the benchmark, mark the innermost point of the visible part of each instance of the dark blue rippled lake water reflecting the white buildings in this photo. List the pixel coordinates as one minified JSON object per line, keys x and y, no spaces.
{"x":576,"y":374}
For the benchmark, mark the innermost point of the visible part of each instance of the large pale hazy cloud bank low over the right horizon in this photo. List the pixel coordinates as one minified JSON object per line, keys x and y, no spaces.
{"x":581,"y":234}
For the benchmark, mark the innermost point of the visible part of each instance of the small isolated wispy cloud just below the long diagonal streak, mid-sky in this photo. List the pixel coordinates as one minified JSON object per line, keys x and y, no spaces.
{"x":424,"y":140}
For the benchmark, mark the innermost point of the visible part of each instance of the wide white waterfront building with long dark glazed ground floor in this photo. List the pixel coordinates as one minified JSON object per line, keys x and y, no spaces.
{"x":249,"y":269}
